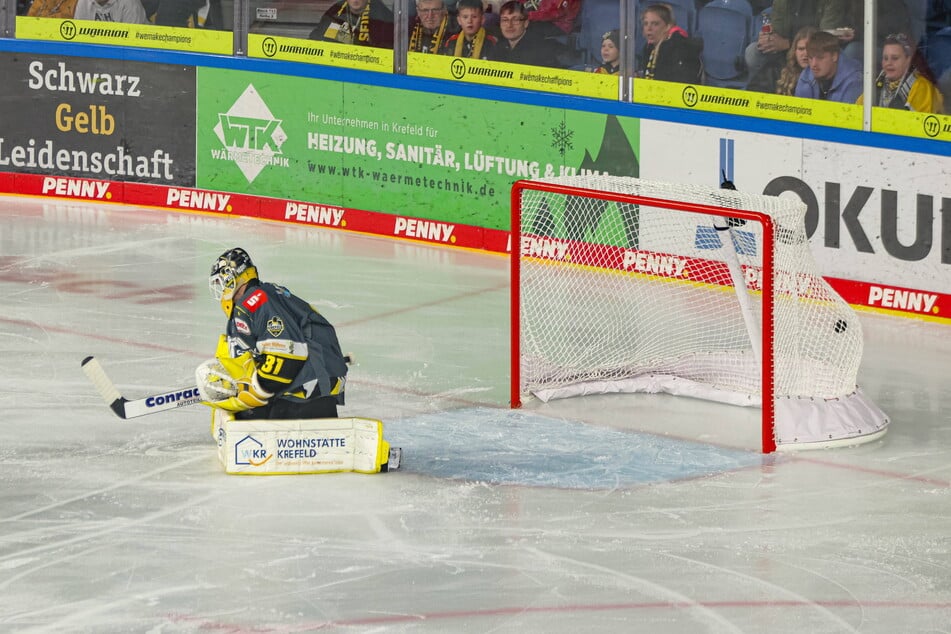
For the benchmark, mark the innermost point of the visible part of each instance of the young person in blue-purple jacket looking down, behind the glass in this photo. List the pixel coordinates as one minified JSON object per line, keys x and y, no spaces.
{"x":831,"y":76}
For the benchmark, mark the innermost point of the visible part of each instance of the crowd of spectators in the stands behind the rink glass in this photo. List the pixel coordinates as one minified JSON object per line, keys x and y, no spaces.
{"x":803,"y":48}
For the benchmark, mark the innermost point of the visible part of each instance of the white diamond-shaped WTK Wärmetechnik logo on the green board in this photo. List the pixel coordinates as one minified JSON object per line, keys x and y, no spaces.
{"x":250,"y":134}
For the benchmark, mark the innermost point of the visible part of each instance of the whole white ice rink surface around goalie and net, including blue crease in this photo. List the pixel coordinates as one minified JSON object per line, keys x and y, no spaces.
{"x":615,"y":513}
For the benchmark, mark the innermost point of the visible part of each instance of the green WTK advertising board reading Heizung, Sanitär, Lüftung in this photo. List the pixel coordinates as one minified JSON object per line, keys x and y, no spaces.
{"x":432,"y":156}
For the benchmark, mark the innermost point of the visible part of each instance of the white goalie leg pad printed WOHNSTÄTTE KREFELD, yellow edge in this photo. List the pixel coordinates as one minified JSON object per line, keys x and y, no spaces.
{"x":282,"y":447}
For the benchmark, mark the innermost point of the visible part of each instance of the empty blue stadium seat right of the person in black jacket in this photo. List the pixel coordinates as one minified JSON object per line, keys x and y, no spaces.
{"x":726,"y":28}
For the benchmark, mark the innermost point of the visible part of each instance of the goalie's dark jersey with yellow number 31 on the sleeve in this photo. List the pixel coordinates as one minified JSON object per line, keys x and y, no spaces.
{"x":295,"y":348}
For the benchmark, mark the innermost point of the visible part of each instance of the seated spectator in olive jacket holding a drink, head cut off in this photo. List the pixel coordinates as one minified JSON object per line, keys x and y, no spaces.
{"x":765,"y":57}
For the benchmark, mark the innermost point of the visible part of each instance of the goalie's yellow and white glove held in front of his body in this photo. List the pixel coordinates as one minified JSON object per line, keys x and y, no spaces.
{"x":231,"y":384}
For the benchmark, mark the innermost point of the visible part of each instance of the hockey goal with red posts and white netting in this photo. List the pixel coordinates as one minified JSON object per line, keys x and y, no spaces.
{"x":625,"y":285}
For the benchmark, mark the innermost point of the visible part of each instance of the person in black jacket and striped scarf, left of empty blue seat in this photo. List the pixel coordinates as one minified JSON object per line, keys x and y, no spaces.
{"x":669,"y":53}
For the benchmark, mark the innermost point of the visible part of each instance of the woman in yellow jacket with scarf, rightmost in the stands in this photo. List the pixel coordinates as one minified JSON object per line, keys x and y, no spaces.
{"x":900,"y":84}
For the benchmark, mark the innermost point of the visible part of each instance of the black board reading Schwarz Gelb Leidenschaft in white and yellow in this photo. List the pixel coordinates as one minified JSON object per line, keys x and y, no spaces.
{"x":95,"y":118}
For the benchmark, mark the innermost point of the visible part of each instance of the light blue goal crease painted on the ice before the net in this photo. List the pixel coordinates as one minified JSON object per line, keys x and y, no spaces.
{"x":522,"y":448}
